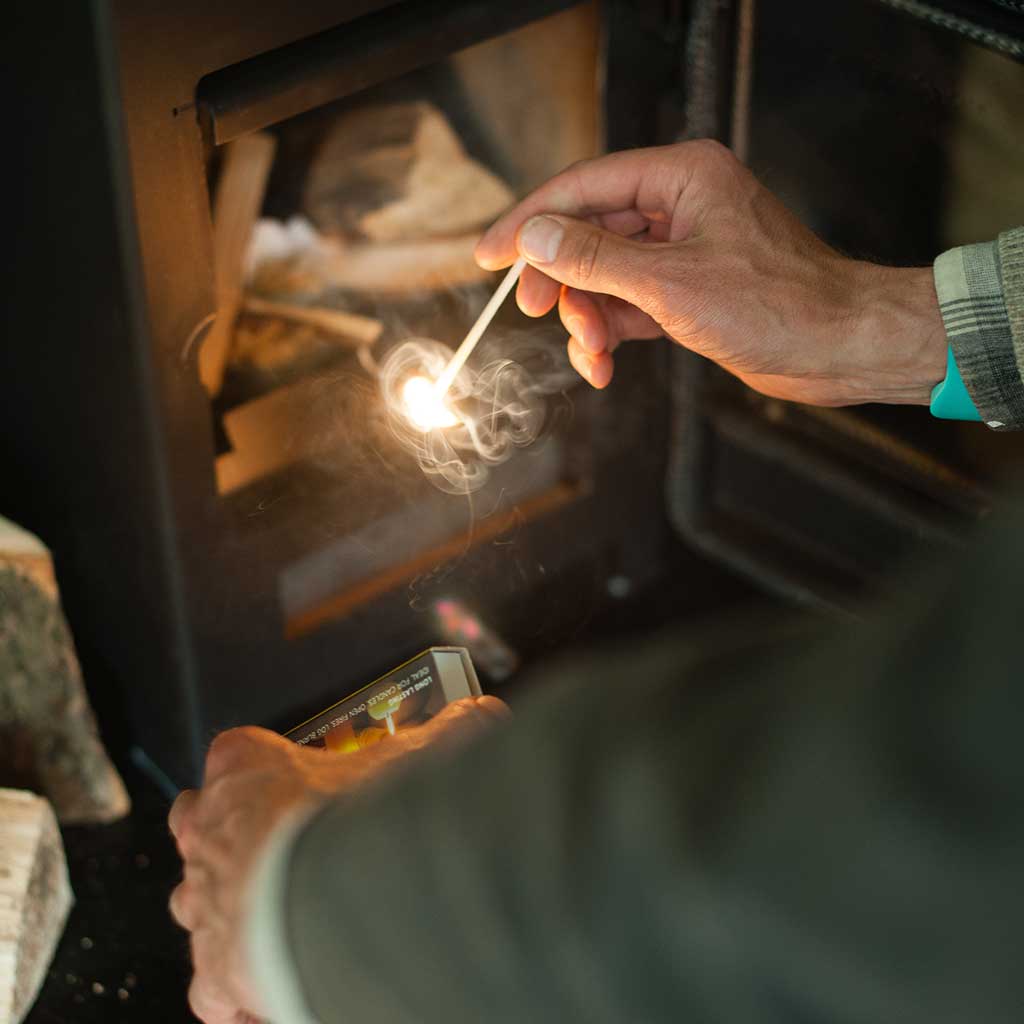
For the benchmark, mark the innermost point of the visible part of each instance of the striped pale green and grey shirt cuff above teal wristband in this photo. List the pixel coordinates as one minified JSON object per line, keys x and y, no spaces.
{"x":969,"y":284}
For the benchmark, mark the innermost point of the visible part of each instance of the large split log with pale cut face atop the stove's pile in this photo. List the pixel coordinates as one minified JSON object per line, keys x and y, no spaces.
{"x":399,"y":174}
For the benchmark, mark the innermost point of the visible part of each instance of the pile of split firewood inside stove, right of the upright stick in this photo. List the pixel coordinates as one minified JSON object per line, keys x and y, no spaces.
{"x":397,"y":206}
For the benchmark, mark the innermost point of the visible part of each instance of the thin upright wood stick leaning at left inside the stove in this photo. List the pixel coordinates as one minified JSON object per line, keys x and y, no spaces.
{"x":240,"y":197}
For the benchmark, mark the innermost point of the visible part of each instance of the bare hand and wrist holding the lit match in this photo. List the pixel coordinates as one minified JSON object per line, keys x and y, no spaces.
{"x":684,"y":241}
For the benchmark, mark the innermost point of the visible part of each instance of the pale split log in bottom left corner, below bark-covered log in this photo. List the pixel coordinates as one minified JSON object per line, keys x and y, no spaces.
{"x":35,"y":899}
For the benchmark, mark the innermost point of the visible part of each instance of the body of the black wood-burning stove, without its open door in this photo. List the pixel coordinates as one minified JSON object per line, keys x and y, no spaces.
{"x":261,"y":602}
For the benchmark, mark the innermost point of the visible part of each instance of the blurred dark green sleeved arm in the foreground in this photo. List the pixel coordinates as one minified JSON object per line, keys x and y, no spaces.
{"x":687,"y":832}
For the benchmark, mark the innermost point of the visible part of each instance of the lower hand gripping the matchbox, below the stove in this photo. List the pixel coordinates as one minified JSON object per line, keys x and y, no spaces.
{"x":253,"y":780}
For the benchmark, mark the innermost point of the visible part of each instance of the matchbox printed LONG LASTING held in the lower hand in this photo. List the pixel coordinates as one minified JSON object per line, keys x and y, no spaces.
{"x":409,"y":696}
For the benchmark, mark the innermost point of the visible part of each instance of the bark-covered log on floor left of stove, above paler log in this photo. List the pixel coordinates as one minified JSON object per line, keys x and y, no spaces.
{"x":49,"y":738}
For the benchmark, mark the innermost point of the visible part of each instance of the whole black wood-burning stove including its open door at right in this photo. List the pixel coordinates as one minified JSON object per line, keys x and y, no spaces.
{"x":209,"y":605}
